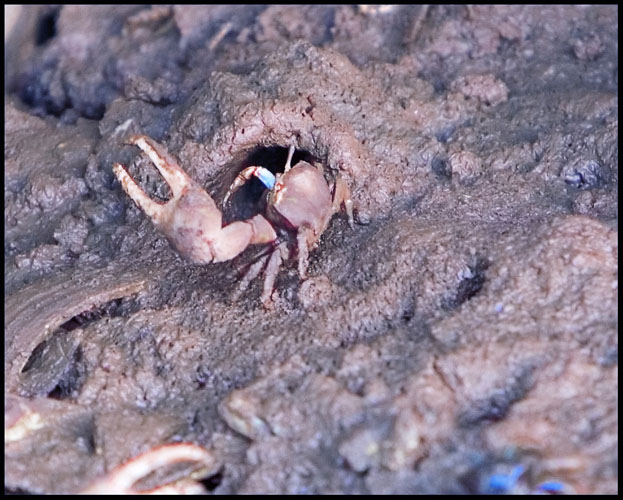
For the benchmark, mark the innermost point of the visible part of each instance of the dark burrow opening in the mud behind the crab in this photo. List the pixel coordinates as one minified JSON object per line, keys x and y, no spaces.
{"x":248,"y":200}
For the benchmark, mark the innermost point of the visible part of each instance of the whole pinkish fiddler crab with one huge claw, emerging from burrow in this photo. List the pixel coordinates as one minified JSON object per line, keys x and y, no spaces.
{"x":299,"y":204}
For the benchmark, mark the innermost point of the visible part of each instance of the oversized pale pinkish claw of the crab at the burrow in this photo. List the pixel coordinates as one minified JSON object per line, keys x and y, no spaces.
{"x":191,"y":220}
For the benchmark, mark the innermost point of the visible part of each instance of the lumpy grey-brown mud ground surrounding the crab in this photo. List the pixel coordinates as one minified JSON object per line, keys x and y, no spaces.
{"x":462,"y":338}
